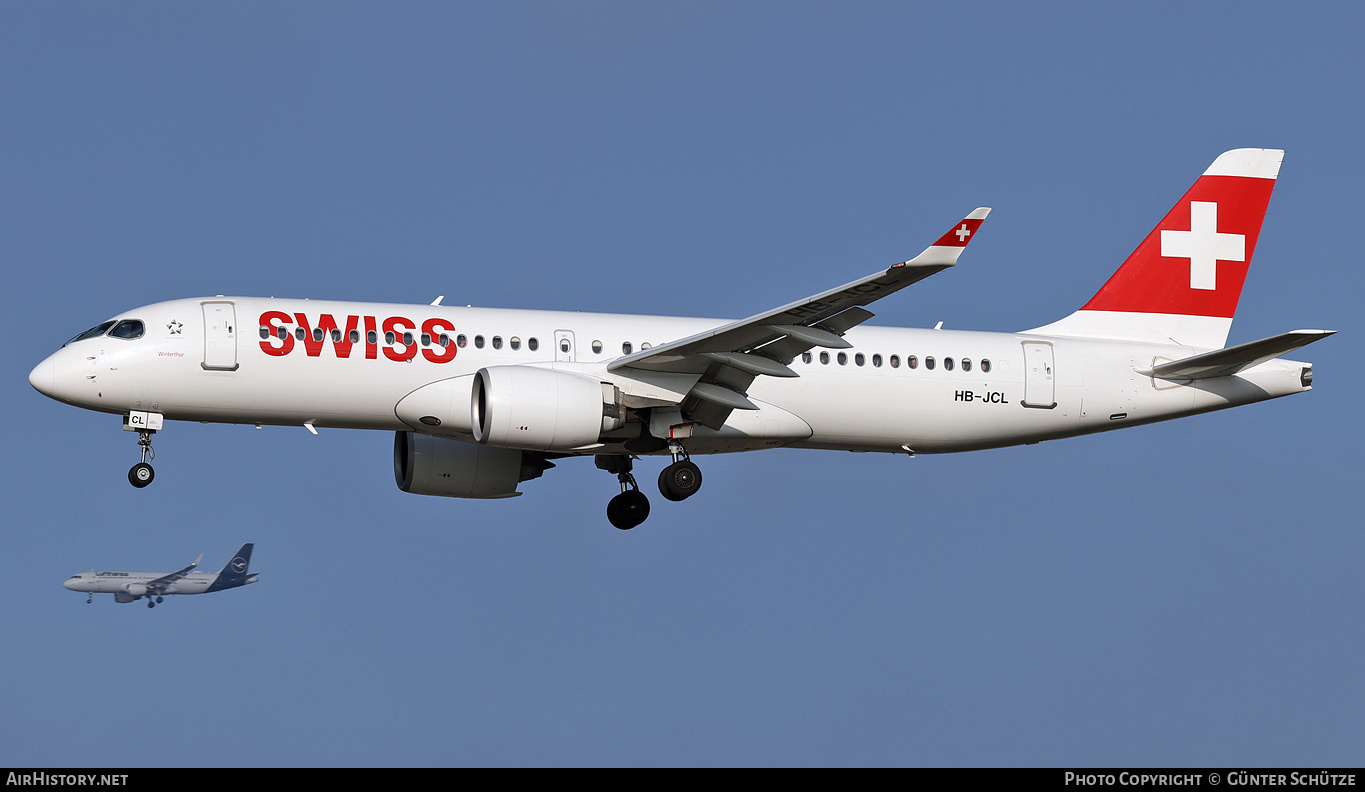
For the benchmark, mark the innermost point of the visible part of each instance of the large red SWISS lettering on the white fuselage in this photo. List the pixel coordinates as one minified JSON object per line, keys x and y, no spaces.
{"x":399,"y":345}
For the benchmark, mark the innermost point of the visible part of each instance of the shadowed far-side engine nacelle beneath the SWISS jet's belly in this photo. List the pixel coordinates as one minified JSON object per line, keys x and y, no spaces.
{"x":425,"y":465}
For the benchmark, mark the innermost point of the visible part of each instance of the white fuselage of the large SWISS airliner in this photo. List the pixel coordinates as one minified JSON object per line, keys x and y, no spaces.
{"x":270,"y":363}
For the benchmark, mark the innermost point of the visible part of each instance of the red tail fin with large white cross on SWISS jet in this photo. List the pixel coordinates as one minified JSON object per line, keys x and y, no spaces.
{"x":1184,"y":281}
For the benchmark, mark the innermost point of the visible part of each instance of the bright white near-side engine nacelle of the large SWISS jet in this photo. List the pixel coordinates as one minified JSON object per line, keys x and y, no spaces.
{"x":543,"y":409}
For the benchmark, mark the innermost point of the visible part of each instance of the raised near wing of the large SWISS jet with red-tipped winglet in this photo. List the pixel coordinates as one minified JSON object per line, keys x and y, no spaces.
{"x":728,"y":358}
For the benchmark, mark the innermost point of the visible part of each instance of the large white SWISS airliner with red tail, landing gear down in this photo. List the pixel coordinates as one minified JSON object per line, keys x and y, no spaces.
{"x":484,"y":399}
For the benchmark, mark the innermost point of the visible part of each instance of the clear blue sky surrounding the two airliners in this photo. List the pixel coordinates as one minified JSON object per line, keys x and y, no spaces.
{"x":1177,"y":595}
